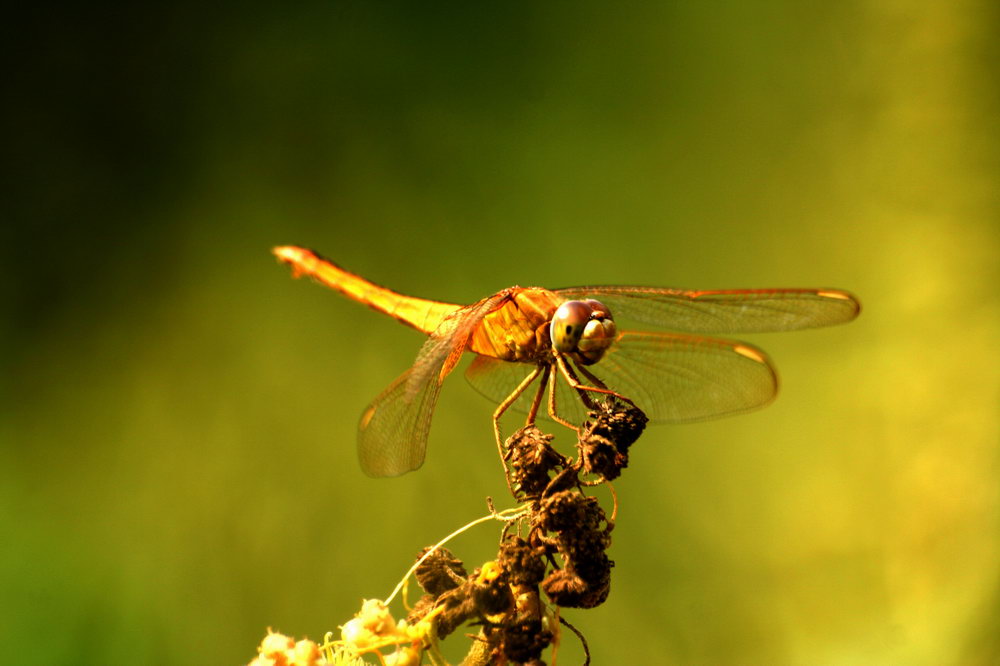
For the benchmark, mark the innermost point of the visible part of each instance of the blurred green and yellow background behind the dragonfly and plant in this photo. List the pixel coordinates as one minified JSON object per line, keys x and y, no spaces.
{"x":177,"y":463}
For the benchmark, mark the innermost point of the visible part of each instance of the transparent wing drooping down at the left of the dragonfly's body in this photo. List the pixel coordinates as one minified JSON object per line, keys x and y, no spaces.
{"x":392,"y":433}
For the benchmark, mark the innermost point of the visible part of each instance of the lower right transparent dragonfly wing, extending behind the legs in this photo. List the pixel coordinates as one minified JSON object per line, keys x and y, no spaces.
{"x":673,"y":378}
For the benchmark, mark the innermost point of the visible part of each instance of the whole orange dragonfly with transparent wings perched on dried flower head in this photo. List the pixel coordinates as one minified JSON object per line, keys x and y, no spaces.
{"x":521,"y":335}
